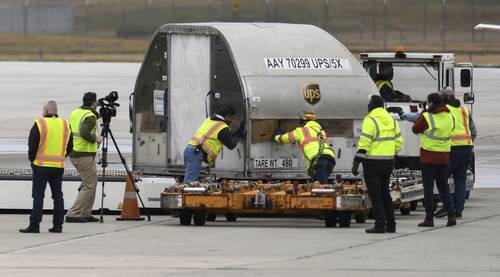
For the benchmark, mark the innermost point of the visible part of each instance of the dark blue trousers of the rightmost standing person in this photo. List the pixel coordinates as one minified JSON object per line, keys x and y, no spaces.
{"x":460,"y":159}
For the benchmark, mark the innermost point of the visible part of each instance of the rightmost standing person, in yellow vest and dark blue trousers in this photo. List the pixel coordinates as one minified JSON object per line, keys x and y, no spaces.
{"x":461,"y":153}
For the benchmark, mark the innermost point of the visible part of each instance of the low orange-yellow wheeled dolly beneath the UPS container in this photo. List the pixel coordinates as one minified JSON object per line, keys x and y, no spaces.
{"x":335,"y":203}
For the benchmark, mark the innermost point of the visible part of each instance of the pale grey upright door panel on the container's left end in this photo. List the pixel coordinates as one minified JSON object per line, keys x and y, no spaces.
{"x":189,"y":84}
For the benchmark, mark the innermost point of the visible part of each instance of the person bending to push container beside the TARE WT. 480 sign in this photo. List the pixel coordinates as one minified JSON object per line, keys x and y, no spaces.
{"x":312,"y":139}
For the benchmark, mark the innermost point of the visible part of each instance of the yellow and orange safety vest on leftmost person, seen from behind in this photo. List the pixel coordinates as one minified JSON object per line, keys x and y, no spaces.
{"x":54,"y":137}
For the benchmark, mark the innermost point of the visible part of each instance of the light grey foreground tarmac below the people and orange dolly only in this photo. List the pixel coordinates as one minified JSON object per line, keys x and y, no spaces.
{"x":258,"y":247}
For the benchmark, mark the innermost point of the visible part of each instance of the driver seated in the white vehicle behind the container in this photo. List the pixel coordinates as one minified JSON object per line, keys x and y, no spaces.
{"x":383,"y":81}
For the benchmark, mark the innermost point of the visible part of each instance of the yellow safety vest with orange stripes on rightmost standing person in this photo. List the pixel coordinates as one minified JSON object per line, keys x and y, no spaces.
{"x":461,"y":134}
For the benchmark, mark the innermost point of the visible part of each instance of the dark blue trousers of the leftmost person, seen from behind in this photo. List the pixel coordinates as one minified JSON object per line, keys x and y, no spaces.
{"x":40,"y":179}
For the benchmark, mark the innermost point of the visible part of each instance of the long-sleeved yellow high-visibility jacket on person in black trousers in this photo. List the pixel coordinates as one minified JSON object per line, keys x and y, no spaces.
{"x":380,"y":136}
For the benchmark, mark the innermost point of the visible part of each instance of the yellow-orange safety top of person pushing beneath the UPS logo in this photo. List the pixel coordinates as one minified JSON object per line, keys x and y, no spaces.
{"x":309,"y":138}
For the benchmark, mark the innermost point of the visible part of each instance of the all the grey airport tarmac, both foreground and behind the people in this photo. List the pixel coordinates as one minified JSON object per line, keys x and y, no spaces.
{"x":251,"y":246}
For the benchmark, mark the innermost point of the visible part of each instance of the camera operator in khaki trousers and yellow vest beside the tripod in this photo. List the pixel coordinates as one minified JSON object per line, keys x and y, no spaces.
{"x":83,"y":122}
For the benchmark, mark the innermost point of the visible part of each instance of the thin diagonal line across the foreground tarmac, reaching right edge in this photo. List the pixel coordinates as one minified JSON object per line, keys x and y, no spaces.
{"x":462,"y":222}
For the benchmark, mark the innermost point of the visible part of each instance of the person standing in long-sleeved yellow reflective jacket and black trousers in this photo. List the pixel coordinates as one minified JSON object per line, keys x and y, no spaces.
{"x":379,"y":142}
